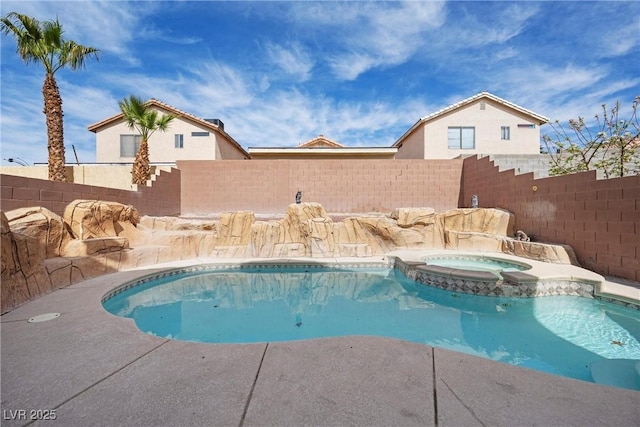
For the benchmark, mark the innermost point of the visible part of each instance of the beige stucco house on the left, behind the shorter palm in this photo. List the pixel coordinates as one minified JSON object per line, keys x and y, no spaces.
{"x":187,"y":138}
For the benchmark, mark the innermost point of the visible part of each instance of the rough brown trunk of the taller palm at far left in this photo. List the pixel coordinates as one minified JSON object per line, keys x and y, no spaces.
{"x":55,"y":133}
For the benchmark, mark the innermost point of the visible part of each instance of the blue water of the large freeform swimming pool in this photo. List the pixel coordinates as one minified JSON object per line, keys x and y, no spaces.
{"x":561,"y":335}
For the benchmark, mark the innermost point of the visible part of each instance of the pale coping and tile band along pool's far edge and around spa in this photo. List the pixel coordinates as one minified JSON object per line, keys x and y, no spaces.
{"x":540,"y":280}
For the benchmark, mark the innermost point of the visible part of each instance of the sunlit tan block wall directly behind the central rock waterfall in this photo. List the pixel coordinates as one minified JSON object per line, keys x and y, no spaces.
{"x":352,"y":185}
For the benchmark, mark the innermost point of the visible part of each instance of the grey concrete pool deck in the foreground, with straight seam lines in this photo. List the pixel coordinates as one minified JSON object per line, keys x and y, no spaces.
{"x":93,"y":368}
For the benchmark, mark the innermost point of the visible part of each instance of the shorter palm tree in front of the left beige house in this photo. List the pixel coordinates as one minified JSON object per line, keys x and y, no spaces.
{"x":146,"y":121}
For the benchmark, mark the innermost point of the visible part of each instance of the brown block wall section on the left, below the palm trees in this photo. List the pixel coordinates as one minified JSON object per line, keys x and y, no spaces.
{"x":162,"y":198}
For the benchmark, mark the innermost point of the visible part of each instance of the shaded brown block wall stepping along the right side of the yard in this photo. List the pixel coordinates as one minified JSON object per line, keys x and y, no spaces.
{"x":599,"y":219}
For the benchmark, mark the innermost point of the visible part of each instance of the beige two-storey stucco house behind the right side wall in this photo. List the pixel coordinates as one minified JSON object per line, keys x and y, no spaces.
{"x":482,"y":124}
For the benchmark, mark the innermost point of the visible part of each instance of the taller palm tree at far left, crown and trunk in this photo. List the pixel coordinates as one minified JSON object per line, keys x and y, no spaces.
{"x":42,"y":42}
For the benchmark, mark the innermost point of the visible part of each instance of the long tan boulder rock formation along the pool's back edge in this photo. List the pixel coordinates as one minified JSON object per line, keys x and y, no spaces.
{"x":42,"y":252}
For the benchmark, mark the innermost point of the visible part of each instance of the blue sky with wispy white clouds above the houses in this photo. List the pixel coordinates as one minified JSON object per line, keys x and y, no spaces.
{"x":360,"y":72}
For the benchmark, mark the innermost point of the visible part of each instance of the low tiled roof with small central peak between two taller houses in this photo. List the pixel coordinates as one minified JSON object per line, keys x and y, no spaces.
{"x":322,"y":148}
